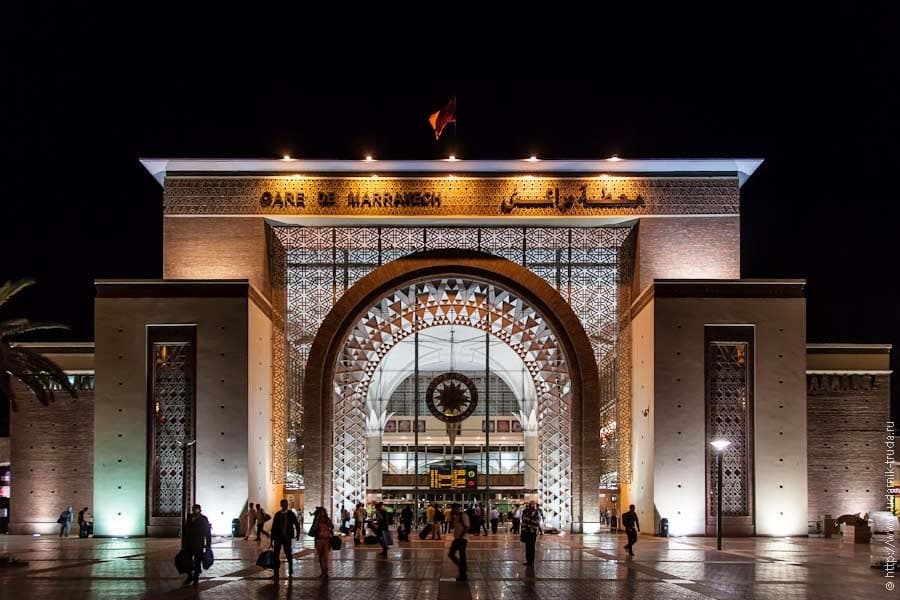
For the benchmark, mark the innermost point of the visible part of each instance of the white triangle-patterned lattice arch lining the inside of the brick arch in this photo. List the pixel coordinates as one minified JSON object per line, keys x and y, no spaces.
{"x":463,"y":302}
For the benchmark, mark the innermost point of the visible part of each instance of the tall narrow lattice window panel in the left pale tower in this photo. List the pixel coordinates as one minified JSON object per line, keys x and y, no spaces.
{"x":172,"y":424}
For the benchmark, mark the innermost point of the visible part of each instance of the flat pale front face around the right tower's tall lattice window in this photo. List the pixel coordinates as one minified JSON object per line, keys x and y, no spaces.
{"x":779,"y":415}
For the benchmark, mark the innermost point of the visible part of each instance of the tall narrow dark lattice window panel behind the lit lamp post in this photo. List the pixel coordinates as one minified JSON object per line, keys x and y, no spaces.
{"x":728,"y":414}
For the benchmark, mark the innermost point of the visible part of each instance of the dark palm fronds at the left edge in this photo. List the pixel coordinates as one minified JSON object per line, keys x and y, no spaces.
{"x":38,"y":373}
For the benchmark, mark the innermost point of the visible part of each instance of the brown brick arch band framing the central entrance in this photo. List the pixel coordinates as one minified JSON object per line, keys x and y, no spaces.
{"x":329,"y":358}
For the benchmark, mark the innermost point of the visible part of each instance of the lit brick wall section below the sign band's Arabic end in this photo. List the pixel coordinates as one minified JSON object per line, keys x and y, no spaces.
{"x":687,"y":248}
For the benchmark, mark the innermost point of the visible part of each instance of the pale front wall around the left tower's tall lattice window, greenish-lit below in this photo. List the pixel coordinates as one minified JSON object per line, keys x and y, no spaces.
{"x":120,"y":441}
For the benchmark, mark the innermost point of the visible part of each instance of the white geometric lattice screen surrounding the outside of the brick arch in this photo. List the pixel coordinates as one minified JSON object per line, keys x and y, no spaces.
{"x":312,"y":267}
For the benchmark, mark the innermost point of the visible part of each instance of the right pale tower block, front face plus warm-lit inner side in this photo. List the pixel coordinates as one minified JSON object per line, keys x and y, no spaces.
{"x":669,"y":412}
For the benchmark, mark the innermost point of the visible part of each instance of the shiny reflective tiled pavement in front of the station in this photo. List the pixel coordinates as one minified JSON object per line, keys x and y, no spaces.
{"x":568,"y":567}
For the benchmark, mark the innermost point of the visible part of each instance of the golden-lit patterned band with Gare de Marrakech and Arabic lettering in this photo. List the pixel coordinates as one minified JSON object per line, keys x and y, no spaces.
{"x":451,"y":196}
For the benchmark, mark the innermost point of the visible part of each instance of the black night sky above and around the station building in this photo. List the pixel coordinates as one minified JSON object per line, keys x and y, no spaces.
{"x":83,"y":96}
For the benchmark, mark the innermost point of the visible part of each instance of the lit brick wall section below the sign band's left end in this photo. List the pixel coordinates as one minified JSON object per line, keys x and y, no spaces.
{"x":216,"y":248}
